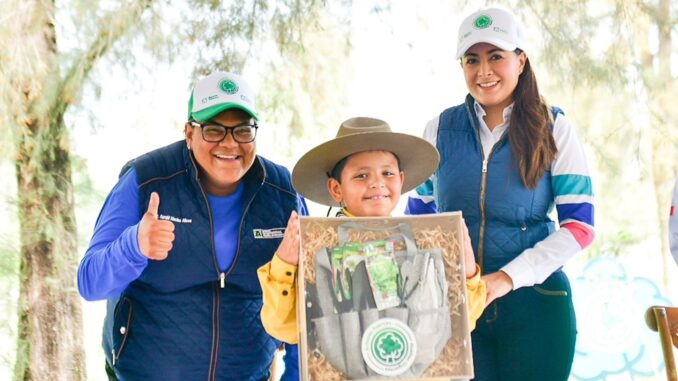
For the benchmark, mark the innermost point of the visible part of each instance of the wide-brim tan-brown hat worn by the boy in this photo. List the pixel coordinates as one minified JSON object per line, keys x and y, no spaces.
{"x":418,"y":158}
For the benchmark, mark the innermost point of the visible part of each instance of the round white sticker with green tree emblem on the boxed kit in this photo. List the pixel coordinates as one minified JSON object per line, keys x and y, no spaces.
{"x":389,"y":347}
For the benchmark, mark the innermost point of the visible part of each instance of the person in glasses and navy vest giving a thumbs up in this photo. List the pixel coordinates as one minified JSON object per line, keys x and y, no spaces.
{"x":177,"y":244}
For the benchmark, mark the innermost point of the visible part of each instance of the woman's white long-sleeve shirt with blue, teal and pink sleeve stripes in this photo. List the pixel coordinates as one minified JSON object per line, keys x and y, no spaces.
{"x":573,"y":204}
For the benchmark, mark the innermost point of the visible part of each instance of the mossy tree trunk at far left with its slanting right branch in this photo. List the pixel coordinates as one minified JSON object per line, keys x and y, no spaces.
{"x":50,"y":317}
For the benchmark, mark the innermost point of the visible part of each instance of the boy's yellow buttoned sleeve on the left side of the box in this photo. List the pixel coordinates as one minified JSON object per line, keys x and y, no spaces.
{"x":279,"y":312}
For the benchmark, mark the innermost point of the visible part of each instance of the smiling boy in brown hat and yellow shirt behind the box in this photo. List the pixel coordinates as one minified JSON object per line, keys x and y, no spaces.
{"x":363,"y":171}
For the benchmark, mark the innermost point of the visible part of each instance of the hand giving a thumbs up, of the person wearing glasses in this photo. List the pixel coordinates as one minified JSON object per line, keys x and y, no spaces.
{"x":155,"y":236}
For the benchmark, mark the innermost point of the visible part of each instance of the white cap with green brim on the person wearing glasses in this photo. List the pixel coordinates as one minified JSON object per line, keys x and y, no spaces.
{"x":219,"y":92}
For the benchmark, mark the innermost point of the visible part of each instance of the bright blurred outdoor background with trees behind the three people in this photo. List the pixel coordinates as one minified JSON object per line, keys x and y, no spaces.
{"x":88,"y":85}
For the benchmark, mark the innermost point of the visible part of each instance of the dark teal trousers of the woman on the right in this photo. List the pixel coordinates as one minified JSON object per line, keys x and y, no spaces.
{"x":527,"y":335}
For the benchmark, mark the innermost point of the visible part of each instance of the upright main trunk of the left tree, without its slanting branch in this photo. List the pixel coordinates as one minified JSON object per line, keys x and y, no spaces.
{"x":50,"y":317}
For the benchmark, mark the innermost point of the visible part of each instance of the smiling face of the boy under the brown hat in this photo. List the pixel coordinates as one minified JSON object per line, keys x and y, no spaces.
{"x":370,"y":186}
